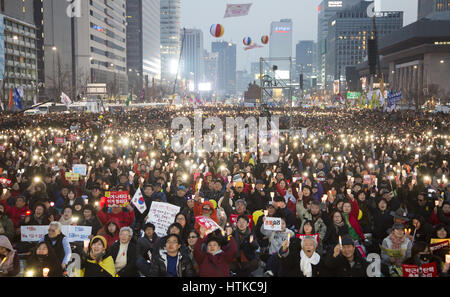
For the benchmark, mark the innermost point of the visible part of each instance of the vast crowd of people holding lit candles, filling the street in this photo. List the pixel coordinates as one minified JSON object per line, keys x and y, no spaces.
{"x":347,"y":184}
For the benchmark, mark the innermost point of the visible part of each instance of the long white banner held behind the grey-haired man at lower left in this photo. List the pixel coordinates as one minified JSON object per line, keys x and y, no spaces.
{"x":73,"y":233}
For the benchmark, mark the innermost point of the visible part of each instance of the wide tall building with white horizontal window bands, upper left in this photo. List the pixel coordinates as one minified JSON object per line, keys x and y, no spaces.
{"x":87,"y":48}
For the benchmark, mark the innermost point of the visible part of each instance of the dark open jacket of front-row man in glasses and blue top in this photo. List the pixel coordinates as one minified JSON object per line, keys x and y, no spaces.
{"x":185,"y":267}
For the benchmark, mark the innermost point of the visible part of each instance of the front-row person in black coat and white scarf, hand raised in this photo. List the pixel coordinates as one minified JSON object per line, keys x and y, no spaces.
{"x":300,"y":259}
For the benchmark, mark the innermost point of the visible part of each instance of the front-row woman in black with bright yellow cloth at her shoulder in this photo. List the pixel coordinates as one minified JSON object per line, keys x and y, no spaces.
{"x":98,"y":264}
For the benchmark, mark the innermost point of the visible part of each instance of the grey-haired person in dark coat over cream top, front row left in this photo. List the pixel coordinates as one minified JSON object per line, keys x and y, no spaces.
{"x":123,"y":253}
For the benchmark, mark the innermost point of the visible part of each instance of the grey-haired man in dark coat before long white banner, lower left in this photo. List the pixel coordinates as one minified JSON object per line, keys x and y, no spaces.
{"x":59,"y":242}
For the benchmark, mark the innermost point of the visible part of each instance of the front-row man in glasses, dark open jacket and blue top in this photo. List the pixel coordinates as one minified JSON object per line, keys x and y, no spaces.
{"x":171,"y":262}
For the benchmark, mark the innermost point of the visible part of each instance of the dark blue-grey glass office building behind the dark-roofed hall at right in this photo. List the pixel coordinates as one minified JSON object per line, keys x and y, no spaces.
{"x":348,"y":35}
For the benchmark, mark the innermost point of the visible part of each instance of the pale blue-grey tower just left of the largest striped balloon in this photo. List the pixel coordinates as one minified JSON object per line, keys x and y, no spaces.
{"x":192,"y":56}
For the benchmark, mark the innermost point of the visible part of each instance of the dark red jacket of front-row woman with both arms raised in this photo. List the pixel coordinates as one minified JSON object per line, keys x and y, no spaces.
{"x":222,"y":260}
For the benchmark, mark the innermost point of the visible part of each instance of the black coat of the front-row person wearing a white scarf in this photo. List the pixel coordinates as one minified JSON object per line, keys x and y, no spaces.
{"x":290,"y":261}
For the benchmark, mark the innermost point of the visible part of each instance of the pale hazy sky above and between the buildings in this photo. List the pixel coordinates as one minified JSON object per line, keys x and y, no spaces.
{"x":201,"y":14}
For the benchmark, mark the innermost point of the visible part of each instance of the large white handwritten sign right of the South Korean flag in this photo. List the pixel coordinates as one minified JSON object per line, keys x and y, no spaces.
{"x":162,"y":215}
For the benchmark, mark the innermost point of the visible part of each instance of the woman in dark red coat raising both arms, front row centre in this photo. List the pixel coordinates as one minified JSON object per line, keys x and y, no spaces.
{"x":215,"y":258}
